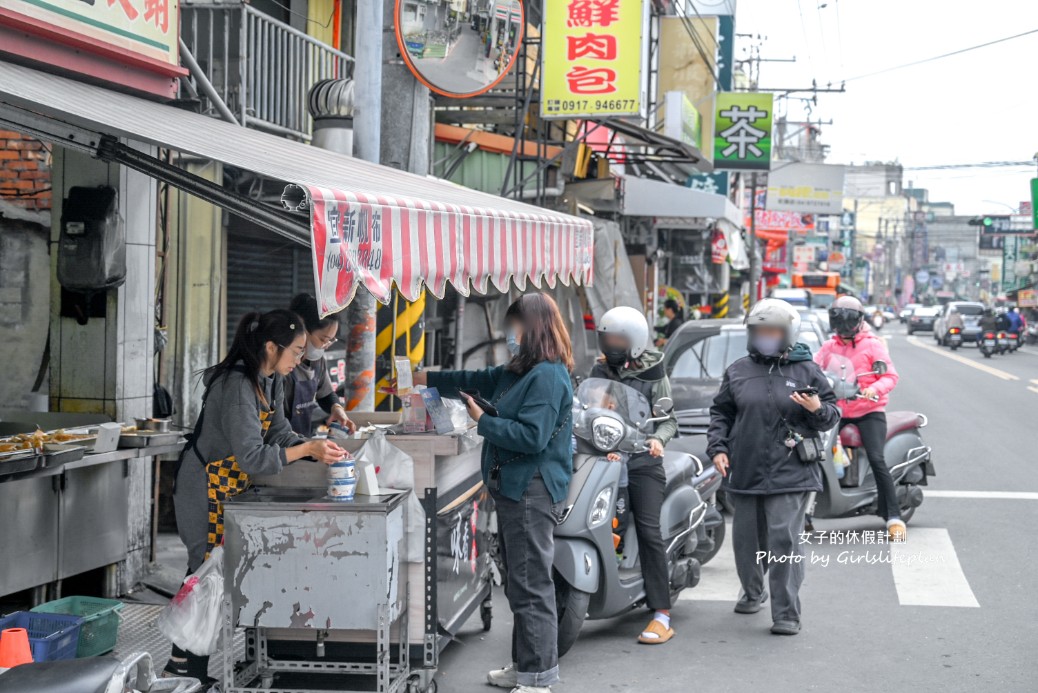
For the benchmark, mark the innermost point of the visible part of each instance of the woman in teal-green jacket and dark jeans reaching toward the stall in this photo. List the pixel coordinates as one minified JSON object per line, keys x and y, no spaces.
{"x":527,"y":464}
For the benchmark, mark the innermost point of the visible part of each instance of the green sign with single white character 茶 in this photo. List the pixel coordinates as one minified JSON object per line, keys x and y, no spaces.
{"x":743,"y":131}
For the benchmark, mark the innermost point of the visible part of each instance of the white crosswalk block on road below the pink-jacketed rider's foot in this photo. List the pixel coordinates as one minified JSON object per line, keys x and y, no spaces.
{"x":927,"y":571}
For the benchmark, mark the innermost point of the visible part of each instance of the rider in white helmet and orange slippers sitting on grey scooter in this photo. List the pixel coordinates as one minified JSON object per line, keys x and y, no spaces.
{"x":623,"y":337}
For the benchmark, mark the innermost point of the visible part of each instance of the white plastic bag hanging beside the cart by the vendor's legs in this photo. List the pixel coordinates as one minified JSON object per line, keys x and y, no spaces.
{"x":193,"y":619}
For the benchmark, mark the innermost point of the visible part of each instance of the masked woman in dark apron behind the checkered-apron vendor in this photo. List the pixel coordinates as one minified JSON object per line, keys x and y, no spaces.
{"x":310,"y":385}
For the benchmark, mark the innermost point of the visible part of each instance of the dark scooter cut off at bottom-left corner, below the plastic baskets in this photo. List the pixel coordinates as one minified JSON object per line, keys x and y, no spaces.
{"x":95,"y":675}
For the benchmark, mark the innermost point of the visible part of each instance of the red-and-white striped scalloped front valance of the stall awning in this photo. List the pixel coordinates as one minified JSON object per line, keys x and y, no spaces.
{"x":378,"y":242}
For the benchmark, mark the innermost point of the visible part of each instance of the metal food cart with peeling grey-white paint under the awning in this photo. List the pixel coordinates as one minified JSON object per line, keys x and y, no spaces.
{"x":323,"y":589}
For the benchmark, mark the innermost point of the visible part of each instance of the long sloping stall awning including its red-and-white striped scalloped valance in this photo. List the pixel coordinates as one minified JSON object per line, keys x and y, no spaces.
{"x":370,"y":226}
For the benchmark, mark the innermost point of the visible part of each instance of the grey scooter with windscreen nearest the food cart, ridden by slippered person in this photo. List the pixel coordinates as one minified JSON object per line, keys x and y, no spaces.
{"x":592,"y":581}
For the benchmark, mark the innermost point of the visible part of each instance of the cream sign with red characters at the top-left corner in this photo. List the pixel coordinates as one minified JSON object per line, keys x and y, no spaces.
{"x":144,"y":27}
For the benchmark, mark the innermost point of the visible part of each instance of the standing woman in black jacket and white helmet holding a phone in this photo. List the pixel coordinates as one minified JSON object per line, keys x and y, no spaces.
{"x":764,"y":410}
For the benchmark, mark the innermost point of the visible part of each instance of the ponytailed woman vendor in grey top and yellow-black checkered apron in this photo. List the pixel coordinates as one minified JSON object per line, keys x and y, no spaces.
{"x":241,"y":431}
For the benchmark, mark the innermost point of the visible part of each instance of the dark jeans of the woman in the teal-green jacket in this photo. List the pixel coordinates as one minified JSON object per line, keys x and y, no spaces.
{"x":527,"y":531}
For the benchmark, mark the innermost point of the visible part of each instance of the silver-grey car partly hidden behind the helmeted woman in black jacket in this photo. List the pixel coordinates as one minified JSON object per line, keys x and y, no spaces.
{"x":697,"y":356}
